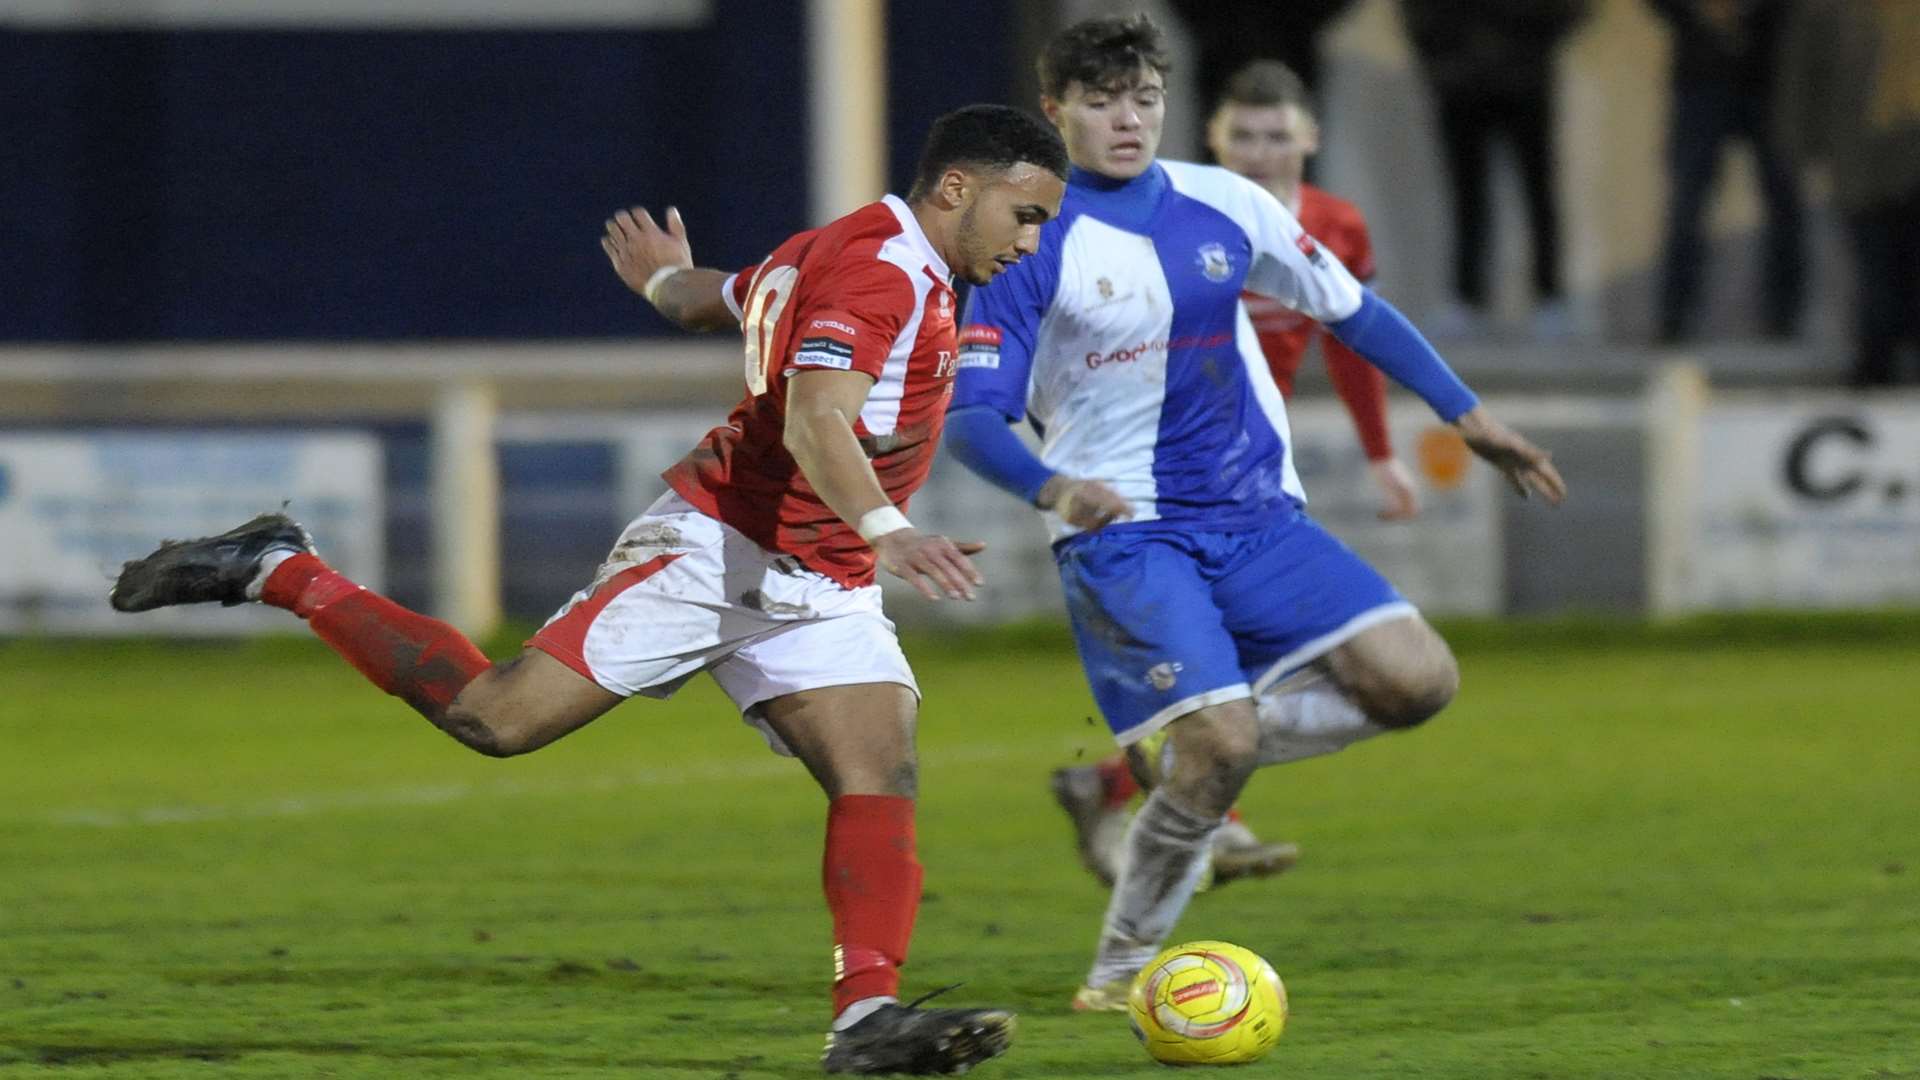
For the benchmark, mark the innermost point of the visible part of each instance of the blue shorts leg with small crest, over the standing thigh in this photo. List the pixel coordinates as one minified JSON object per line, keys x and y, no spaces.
{"x":1149,"y":631}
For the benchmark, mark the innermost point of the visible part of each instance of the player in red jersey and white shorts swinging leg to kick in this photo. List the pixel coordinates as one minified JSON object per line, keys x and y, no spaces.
{"x":759,"y":562}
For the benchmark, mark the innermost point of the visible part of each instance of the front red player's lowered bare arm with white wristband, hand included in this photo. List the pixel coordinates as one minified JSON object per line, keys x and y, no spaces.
{"x":823,"y":408}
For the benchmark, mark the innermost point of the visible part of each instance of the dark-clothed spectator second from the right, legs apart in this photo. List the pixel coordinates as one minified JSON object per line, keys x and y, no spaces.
{"x":1723,"y":87}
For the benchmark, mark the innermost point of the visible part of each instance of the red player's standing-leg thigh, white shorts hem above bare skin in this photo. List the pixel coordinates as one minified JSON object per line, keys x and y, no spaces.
{"x":834,"y":693}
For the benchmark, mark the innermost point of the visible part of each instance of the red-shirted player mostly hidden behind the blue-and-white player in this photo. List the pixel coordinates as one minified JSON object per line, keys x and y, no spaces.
{"x":1264,"y":130}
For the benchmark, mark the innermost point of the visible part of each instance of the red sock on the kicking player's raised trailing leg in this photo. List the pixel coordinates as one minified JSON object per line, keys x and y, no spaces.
{"x":414,"y":658}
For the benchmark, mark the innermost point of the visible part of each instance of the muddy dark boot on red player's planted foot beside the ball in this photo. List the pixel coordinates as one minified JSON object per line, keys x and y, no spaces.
{"x":923,"y":1043}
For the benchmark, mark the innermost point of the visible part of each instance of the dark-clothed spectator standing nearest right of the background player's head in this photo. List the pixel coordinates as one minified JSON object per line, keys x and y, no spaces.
{"x":1491,"y":66}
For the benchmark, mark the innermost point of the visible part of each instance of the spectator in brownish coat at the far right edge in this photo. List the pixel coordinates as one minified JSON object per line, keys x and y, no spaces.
{"x":1856,"y":105}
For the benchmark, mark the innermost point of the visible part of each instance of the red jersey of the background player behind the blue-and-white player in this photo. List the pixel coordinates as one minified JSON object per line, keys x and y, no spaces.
{"x":1285,"y":333}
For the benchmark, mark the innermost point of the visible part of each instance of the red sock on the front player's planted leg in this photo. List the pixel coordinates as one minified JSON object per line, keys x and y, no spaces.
{"x":873,"y":883}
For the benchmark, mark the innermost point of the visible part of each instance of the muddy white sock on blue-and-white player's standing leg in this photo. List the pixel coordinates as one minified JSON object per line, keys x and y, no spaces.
{"x":1164,"y":858}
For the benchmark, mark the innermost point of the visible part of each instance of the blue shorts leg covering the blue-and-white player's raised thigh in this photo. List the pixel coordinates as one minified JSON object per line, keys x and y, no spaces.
{"x":1295,"y":595}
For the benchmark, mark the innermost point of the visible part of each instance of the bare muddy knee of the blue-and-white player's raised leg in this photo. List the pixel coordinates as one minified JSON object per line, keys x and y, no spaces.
{"x":1399,"y":672}
